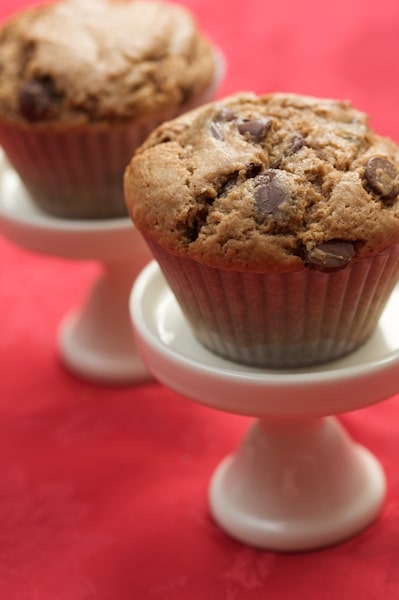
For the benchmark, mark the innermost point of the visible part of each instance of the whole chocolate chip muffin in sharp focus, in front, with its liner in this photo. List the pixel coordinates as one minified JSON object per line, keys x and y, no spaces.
{"x":275,"y":220}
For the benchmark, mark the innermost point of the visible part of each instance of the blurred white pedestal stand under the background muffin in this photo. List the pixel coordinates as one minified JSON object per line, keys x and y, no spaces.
{"x":96,"y":341}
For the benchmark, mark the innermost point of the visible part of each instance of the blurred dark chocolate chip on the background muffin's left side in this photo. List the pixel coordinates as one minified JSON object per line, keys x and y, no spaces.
{"x":36,"y":98}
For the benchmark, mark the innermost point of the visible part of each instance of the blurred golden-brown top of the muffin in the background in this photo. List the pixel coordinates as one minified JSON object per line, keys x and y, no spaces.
{"x":79,"y":61}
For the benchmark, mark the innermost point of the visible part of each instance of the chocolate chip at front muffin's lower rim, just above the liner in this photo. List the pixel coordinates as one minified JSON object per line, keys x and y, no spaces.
{"x":332,"y":255}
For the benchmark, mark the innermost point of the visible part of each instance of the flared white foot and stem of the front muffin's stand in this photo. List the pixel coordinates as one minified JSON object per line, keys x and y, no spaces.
{"x":297,"y":486}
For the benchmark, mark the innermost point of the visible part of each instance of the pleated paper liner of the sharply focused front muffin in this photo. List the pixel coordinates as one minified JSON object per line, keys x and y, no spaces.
{"x":287,"y":320}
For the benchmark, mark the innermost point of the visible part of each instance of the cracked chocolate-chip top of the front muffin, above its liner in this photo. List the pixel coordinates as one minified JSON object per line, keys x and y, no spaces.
{"x":278,"y":182}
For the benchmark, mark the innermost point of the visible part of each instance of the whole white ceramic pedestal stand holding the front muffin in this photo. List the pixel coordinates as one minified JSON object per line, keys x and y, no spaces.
{"x":298,"y":481}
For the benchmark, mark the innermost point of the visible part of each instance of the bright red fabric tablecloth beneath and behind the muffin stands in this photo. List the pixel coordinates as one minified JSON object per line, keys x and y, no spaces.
{"x":103,"y":490}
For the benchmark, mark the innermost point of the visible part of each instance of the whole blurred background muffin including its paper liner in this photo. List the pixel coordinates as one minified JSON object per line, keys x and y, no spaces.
{"x":83,"y":82}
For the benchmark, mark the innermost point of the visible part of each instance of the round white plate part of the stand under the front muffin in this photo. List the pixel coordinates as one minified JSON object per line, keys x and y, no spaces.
{"x":369,"y":375}
